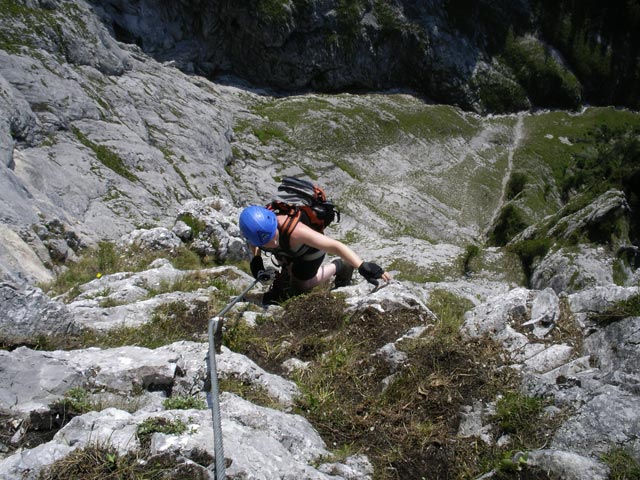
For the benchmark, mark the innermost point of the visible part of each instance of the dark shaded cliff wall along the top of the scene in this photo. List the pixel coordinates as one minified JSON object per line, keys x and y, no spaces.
{"x":431,"y":47}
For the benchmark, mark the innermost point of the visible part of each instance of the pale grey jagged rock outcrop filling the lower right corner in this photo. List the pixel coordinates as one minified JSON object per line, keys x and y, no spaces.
{"x":596,"y":376}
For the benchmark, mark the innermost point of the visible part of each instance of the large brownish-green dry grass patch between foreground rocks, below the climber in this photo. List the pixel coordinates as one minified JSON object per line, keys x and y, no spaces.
{"x":410,"y":426}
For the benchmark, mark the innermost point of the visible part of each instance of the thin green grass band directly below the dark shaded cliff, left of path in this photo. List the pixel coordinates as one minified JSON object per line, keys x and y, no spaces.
{"x":353,"y":126}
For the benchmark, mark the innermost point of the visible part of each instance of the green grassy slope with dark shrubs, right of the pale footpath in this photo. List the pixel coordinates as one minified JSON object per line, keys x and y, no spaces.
{"x":562,"y":155}
